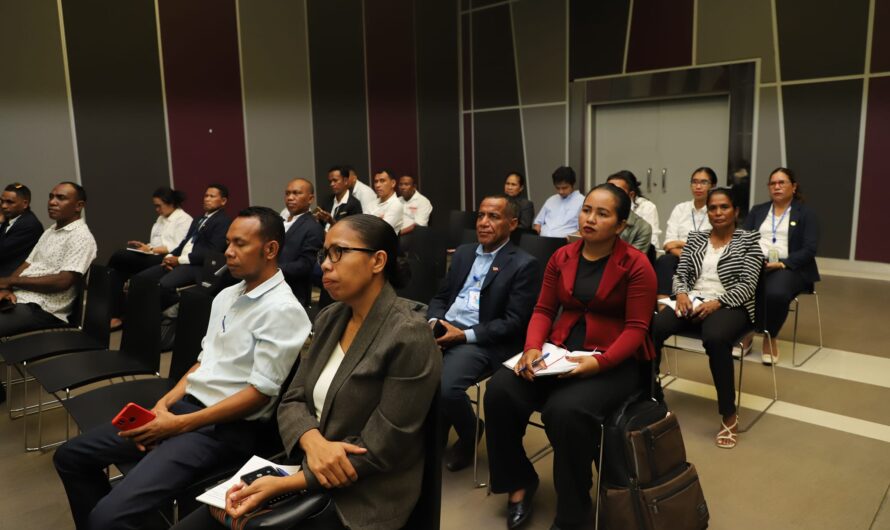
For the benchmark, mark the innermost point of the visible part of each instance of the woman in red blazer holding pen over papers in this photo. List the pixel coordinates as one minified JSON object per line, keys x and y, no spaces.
{"x":605,"y":289}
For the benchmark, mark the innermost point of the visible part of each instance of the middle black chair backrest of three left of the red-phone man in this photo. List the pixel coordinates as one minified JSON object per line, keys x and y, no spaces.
{"x":142,"y":328}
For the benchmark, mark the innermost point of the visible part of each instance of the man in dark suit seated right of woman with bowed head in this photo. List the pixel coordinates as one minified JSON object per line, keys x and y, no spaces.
{"x":183,"y":266}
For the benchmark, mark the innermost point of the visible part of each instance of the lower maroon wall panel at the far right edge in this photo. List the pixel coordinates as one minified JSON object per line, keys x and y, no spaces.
{"x":871,"y":239}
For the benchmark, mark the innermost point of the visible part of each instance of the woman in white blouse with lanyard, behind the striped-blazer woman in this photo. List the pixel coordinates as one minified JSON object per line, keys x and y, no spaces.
{"x":689,"y":216}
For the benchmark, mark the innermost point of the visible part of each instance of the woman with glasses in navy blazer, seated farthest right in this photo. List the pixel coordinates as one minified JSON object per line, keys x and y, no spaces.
{"x":789,"y":237}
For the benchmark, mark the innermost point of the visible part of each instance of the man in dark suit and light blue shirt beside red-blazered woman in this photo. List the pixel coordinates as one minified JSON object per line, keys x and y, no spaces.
{"x":480,"y":315}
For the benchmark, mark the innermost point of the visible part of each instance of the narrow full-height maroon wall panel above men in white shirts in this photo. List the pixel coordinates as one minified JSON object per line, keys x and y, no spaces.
{"x":392,"y":94}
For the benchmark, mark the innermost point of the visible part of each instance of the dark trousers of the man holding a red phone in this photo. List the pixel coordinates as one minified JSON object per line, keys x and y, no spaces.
{"x":161,"y":472}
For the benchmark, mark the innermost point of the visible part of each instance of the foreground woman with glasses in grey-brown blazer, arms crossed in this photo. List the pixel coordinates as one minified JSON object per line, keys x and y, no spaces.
{"x":354,"y":413}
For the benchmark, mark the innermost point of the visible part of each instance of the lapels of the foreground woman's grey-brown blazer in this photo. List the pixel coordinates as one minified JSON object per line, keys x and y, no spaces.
{"x":366,"y":334}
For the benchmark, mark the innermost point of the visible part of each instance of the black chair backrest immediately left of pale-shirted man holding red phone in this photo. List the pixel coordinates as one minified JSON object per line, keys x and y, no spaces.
{"x":191,"y":326}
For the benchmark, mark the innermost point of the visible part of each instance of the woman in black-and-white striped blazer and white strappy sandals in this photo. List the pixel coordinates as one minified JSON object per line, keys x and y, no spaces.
{"x":714,"y":286}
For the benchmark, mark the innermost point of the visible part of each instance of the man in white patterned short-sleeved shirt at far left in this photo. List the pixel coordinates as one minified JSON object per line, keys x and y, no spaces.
{"x":40,"y":293}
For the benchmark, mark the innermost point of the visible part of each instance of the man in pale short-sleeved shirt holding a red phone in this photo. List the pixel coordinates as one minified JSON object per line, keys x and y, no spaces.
{"x":210,"y":419}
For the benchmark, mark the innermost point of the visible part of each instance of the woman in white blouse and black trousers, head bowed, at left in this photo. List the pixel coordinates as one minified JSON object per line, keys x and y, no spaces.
{"x":167,"y":232}
